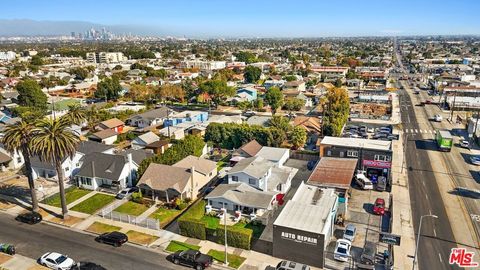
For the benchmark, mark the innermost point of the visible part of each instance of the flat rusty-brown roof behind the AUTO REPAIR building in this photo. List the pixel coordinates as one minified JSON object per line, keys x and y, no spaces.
{"x":333,"y":172}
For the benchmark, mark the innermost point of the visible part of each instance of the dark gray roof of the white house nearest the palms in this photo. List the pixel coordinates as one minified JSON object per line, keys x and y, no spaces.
{"x":102,"y":165}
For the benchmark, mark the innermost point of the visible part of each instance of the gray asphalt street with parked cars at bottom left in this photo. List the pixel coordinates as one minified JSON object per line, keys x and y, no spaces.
{"x":35,"y":240}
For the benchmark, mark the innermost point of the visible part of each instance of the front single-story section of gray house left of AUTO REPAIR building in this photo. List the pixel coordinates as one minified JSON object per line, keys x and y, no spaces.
{"x":241,"y":197}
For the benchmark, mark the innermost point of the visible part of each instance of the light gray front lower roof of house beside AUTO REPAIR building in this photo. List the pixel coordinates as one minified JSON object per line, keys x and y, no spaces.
{"x":242,"y":194}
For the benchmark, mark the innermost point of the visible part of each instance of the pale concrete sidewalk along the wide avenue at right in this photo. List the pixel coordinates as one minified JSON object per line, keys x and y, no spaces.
{"x":402,"y":212}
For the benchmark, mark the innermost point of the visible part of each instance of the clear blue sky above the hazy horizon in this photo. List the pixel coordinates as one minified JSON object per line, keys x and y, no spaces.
{"x":263,"y":18}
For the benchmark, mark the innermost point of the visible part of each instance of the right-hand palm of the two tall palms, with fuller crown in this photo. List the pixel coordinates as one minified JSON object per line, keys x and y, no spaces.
{"x":53,"y":142}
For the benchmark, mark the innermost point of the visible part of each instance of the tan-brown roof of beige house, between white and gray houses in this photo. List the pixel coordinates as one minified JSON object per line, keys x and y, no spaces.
{"x":163,"y":177}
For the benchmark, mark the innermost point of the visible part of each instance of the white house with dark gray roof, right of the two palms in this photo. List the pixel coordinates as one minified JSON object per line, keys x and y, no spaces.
{"x":105,"y":171}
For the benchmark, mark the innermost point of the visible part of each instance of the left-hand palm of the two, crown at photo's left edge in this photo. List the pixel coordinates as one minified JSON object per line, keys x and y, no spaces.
{"x":17,"y":138}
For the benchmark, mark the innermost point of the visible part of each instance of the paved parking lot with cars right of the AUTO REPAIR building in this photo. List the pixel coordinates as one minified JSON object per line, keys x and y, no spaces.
{"x":368,"y":225}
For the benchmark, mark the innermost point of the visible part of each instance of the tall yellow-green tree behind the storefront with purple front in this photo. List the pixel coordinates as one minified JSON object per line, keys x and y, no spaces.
{"x":336,"y":112}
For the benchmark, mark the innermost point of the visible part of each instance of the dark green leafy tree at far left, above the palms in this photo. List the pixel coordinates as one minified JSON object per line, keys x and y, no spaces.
{"x":31,"y":95}
